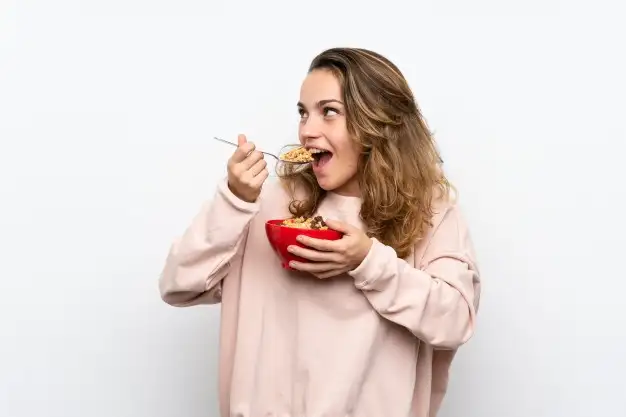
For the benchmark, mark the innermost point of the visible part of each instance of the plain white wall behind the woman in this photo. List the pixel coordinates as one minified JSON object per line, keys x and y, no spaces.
{"x":106,"y":113}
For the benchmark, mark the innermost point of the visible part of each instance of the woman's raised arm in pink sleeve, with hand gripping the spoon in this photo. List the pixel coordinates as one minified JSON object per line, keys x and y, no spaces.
{"x":201,"y":258}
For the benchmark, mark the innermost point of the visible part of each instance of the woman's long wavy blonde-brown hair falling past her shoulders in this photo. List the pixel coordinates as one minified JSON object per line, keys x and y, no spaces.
{"x":399,"y":169}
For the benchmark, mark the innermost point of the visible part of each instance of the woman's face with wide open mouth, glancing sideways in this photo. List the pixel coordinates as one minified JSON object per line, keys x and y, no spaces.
{"x":323,"y":131}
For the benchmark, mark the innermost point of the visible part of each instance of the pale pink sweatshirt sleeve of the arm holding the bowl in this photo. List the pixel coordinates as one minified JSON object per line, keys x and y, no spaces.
{"x":438,"y":301}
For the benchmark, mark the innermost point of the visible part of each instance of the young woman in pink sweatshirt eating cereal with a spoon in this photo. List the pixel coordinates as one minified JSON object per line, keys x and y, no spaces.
{"x":370,"y":325}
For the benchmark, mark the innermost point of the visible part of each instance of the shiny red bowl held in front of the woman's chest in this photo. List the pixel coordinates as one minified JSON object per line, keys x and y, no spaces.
{"x":281,"y":237}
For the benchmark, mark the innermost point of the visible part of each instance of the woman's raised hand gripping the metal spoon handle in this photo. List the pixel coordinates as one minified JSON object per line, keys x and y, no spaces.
{"x":247,"y":171}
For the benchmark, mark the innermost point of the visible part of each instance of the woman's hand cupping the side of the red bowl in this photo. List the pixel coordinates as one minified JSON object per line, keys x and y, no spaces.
{"x":330,"y":258}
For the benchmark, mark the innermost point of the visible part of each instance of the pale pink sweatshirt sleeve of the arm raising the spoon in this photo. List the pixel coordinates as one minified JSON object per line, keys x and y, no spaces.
{"x":201,"y":257}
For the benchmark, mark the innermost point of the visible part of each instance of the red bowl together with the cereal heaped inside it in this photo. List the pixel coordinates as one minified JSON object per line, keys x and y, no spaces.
{"x":283,"y":233}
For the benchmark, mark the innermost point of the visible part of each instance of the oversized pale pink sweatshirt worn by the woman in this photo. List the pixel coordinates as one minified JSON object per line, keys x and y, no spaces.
{"x":376,"y":342}
